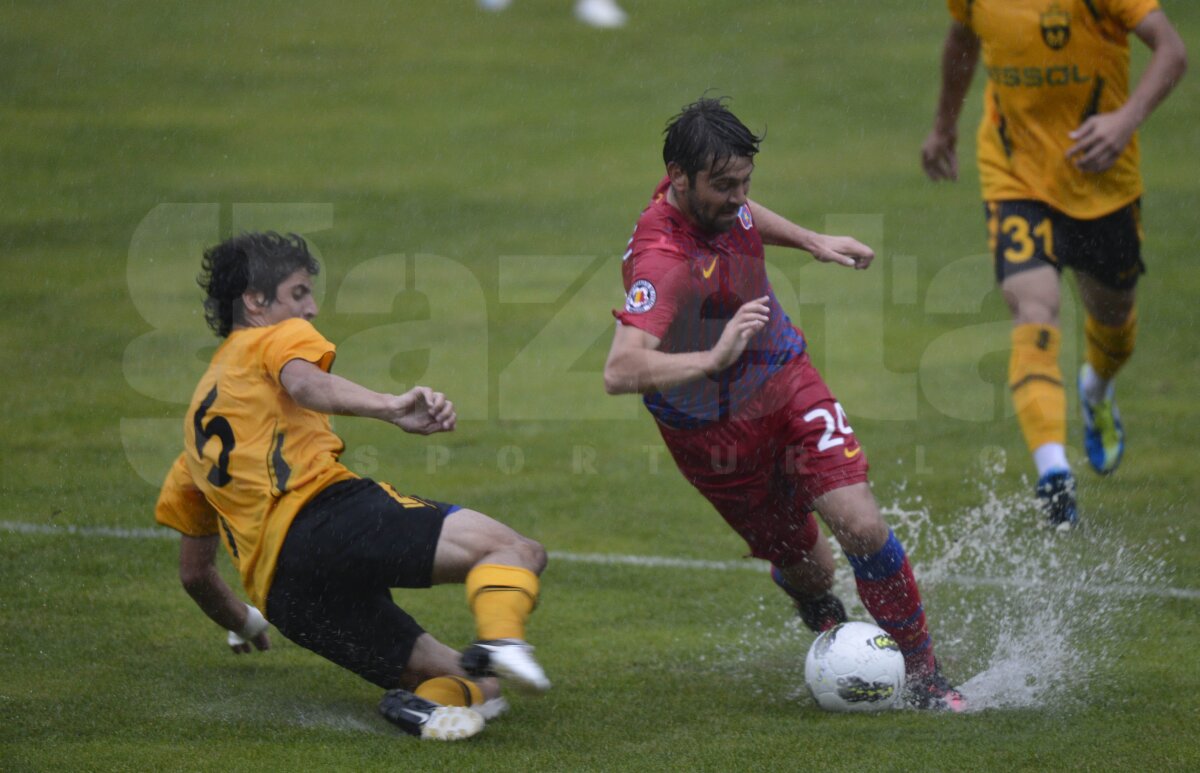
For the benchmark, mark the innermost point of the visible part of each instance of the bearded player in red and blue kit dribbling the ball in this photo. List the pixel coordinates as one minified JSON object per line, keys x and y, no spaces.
{"x":745,"y":414}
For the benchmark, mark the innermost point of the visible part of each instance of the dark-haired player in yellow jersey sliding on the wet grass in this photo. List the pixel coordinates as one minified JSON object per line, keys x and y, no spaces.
{"x":317,"y":547}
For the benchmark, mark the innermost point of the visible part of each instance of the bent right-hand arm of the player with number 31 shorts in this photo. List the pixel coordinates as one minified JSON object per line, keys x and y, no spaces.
{"x":1101,"y":140}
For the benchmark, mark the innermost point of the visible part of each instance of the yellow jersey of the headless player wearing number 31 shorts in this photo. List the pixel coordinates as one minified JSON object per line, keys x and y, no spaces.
{"x":1051,"y":65}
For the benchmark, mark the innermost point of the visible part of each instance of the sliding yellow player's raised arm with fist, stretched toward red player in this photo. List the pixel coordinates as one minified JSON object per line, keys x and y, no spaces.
{"x":421,"y":410}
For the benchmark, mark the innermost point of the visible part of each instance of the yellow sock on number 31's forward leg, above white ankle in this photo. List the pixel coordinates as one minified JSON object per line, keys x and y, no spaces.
{"x":1036,"y":383}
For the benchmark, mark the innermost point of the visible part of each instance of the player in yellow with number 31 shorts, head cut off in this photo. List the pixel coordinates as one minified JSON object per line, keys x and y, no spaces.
{"x":1058,"y":157}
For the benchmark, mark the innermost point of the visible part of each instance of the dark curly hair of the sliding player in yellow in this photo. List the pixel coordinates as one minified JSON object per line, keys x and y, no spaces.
{"x":256,"y":262}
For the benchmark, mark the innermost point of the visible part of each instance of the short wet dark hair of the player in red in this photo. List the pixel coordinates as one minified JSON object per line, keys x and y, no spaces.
{"x":706,"y":136}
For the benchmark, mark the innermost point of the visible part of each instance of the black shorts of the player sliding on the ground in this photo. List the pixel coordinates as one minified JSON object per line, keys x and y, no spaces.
{"x":345,"y":550}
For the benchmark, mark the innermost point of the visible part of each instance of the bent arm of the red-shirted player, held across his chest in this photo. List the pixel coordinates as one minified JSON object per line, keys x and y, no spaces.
{"x":635,"y":365}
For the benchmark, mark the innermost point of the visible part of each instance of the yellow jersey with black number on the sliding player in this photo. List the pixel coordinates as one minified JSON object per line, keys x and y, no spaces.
{"x":253,"y":457}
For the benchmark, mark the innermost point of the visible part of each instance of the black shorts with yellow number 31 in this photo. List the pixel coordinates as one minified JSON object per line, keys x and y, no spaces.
{"x":1027,"y":235}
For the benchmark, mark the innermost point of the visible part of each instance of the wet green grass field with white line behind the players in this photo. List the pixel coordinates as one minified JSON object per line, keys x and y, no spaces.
{"x":470,"y":182}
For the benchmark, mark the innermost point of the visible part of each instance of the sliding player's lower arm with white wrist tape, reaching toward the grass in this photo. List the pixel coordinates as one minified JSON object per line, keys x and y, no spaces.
{"x":200,"y":577}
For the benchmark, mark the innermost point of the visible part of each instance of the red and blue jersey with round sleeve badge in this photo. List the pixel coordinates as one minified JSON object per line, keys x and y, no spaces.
{"x":682,"y":286}
